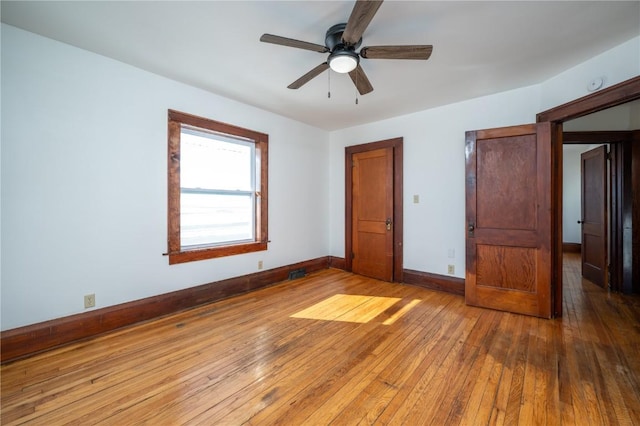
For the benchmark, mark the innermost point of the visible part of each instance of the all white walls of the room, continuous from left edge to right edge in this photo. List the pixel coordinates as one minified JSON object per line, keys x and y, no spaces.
{"x":83,"y":175}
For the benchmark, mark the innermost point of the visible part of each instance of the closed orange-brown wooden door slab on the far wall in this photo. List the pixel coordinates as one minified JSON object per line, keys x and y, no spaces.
{"x":372,"y":213}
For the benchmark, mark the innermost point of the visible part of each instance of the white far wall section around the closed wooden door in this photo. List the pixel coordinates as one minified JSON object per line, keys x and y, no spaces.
{"x":434,"y":169}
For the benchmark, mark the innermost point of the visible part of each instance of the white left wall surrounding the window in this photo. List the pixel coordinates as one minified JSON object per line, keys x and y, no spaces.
{"x":84,"y":181}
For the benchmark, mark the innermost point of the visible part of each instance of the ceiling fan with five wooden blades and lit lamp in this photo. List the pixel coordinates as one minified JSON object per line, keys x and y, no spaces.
{"x":342,"y":40}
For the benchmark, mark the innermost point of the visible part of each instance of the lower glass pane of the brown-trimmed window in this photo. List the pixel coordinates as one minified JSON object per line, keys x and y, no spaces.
{"x":208,"y":219}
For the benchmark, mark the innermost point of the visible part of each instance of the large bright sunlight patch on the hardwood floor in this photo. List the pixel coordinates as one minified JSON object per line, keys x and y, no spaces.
{"x":348,"y":308}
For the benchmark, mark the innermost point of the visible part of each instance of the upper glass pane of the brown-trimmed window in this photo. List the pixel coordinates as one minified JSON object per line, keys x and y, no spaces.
{"x":209,"y":161}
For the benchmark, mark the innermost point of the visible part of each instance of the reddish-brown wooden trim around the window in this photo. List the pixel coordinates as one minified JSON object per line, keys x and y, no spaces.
{"x":176,"y":253}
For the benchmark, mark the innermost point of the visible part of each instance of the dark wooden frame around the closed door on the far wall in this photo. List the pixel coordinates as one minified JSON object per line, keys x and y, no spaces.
{"x":396,"y":145}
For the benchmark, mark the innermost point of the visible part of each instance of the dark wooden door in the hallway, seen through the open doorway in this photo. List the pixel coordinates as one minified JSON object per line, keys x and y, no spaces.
{"x":594,"y":215}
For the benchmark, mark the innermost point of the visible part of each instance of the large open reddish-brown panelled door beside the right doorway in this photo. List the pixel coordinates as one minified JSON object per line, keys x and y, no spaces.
{"x":508,"y":211}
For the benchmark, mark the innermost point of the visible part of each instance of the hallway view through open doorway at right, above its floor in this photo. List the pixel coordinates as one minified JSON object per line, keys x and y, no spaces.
{"x":606,"y":260}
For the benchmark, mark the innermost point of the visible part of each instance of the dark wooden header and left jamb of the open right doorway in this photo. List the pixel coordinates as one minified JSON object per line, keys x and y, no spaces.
{"x":621,"y":93}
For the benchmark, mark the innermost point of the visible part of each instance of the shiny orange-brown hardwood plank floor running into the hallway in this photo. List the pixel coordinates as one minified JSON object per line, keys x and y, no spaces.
{"x":286,"y":355}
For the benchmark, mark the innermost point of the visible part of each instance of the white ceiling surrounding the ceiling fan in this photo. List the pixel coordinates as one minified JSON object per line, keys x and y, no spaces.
{"x":479,"y":47}
